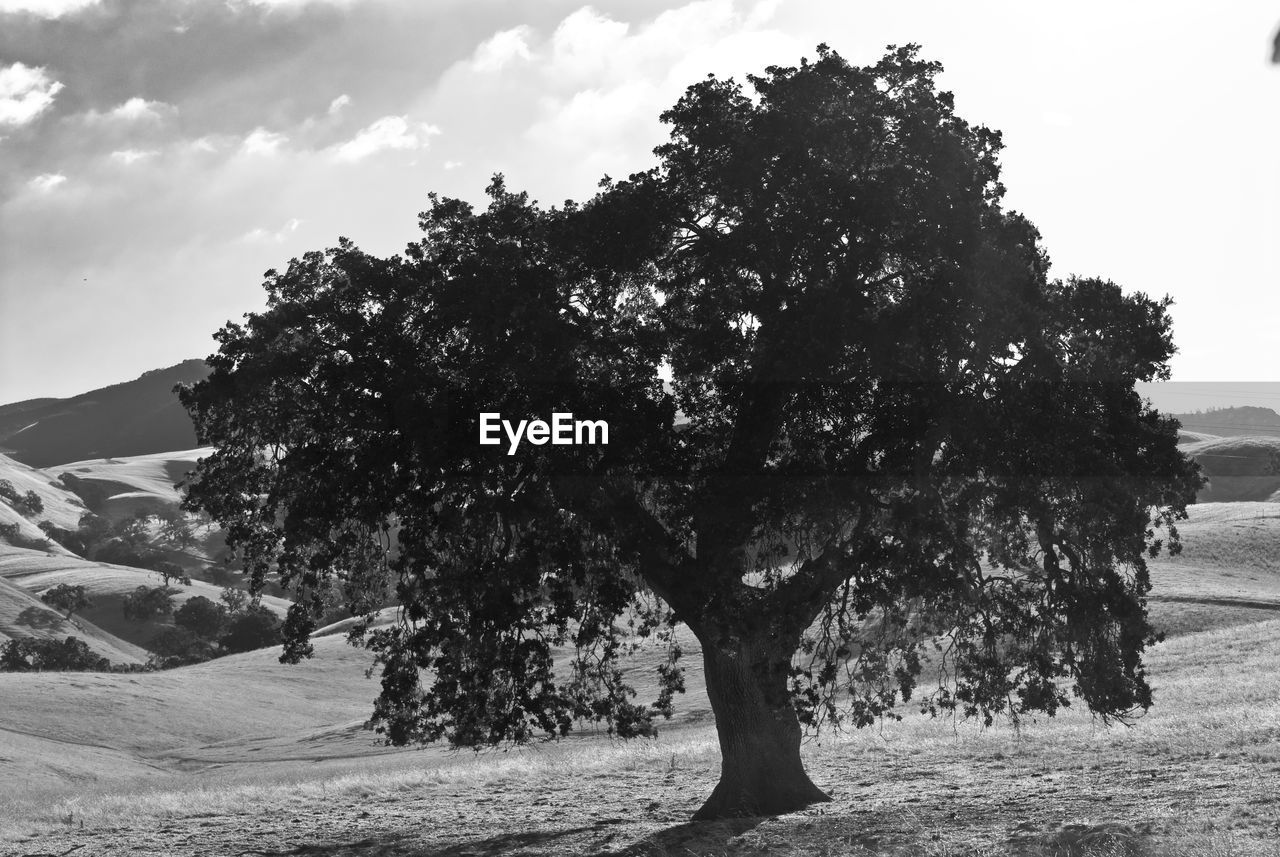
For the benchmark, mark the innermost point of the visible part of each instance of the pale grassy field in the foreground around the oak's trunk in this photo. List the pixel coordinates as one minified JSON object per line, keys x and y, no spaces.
{"x":244,"y":755}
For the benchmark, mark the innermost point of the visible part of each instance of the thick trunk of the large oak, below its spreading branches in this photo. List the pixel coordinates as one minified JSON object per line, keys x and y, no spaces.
{"x":760,"y":735}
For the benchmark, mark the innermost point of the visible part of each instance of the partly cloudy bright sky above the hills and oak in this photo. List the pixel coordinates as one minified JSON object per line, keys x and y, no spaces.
{"x":157,"y":157}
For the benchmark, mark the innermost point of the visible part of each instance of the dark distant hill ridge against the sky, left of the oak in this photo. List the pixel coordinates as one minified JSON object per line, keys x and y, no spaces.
{"x":131,"y":419}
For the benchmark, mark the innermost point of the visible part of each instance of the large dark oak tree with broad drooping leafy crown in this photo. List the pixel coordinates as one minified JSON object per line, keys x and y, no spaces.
{"x":893,"y":460}
